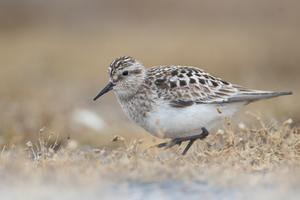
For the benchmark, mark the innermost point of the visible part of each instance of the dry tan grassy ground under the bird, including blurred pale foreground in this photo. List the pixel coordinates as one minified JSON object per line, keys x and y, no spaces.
{"x":242,"y":163}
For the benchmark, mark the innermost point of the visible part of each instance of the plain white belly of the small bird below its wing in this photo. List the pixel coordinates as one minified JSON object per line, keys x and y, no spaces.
{"x":169,"y":122}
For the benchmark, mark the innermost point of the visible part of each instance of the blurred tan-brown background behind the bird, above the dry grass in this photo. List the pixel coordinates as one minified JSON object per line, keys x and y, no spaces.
{"x":54,"y":57}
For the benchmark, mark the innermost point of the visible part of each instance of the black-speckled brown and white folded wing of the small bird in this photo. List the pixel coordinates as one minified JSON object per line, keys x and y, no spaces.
{"x":184,"y":86}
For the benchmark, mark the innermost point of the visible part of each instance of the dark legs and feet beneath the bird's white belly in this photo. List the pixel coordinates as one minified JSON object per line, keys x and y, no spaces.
{"x":178,"y":141}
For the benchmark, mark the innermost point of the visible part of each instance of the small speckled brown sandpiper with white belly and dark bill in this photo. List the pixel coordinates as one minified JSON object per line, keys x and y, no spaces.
{"x":180,"y":103}
